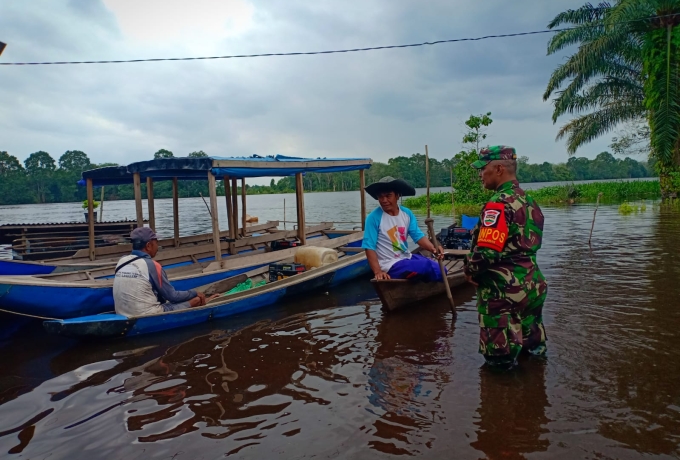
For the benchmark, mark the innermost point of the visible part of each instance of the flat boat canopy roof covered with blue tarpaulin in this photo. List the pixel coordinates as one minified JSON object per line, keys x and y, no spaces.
{"x":235,"y":167}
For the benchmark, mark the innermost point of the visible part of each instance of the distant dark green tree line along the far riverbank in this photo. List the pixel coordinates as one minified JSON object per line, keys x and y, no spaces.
{"x":42,"y":179}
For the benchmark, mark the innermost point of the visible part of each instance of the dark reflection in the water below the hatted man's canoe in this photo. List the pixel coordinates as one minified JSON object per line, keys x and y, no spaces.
{"x":411,"y":368}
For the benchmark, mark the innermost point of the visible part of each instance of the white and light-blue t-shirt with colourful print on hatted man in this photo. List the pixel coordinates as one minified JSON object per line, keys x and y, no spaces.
{"x":386,"y":235}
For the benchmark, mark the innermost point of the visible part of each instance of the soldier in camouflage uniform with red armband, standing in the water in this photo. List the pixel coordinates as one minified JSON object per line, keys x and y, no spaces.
{"x":502,"y":264}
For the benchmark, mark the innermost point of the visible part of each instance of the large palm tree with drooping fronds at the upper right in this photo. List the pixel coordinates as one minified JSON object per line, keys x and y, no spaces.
{"x":626,"y":69}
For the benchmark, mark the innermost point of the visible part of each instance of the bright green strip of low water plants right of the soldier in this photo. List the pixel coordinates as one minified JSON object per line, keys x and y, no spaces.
{"x":611,"y":192}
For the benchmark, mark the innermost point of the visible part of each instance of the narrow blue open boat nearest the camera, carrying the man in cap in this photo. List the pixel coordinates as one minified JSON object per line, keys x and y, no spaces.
{"x":112,"y":325}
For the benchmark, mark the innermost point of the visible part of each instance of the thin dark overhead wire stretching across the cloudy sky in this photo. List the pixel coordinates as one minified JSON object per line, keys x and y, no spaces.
{"x":338,"y":51}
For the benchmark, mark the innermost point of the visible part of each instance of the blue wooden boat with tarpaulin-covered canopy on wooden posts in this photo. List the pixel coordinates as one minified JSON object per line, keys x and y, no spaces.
{"x":88,"y":292}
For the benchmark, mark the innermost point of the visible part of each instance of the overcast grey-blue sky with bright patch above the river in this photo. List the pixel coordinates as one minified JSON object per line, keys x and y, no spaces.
{"x":377,"y":104}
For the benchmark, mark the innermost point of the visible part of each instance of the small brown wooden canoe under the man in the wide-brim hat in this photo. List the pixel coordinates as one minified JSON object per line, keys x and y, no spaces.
{"x":399,"y":293}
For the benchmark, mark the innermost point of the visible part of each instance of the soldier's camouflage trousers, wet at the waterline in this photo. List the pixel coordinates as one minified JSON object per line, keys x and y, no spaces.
{"x":502,"y":337}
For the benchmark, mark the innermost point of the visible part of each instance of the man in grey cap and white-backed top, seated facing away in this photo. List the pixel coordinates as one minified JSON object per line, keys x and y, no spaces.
{"x":141,"y":286}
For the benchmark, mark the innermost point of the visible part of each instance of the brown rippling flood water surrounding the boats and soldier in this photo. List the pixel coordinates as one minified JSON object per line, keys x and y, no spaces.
{"x":332,"y":376}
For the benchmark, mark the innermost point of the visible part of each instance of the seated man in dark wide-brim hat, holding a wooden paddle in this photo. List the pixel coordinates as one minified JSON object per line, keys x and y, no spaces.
{"x":385,"y":237}
